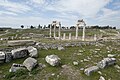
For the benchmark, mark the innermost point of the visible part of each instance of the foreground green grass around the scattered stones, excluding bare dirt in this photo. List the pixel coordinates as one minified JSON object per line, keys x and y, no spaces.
{"x":67,"y":57}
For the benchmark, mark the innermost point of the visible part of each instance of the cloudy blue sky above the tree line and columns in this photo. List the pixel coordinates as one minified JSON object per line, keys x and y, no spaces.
{"x":33,"y":12}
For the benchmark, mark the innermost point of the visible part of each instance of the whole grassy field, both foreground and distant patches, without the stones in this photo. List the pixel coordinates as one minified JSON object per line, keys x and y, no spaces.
{"x":67,"y":56}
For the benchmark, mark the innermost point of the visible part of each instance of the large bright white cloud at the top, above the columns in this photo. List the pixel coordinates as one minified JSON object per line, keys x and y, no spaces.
{"x":83,"y":7}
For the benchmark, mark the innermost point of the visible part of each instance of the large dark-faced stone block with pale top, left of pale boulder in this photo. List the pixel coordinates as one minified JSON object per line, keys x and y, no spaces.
{"x":19,"y":53}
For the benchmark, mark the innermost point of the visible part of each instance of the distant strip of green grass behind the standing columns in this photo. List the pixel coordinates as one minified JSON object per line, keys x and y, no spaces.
{"x":88,"y":32}
